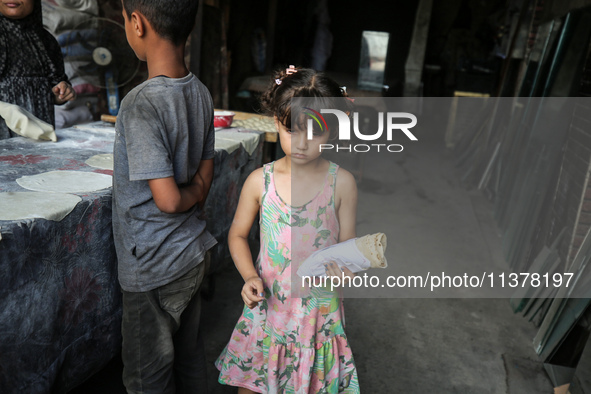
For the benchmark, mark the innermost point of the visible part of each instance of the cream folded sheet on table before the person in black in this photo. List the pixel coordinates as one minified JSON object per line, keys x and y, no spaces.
{"x":25,"y":123}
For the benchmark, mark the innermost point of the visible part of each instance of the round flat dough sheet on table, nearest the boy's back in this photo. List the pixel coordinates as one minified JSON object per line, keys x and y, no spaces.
{"x":66,"y":182}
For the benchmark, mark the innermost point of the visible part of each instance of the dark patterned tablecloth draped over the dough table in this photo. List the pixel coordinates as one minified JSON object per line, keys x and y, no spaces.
{"x":60,"y":301}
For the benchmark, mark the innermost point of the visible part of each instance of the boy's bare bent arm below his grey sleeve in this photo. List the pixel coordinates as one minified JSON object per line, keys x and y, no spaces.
{"x":170,"y":198}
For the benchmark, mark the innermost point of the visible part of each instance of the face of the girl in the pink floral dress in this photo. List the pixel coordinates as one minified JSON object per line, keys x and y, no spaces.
{"x":297,"y":146}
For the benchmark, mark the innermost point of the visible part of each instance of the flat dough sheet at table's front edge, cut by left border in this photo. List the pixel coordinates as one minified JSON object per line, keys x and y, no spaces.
{"x":30,"y":205}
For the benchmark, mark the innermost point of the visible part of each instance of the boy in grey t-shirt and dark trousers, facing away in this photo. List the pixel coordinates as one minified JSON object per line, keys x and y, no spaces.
{"x":163,"y":153}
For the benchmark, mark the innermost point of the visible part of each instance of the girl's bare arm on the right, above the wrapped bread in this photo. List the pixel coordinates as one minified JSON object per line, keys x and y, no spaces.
{"x":346,"y":204}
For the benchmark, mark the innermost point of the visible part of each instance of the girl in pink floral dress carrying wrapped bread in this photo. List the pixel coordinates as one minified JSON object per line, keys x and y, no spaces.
{"x":284,"y":344}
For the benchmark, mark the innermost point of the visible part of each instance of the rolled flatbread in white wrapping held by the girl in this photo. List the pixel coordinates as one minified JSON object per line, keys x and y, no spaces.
{"x":357,"y":254}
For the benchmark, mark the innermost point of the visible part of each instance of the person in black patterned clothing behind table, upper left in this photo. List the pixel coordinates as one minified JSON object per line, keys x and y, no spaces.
{"x":31,"y":64}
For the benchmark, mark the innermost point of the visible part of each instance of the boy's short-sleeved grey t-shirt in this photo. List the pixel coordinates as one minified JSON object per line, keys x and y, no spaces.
{"x":164,"y":128}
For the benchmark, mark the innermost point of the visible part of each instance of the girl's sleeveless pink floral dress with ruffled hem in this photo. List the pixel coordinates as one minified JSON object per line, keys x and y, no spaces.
{"x":285,"y":344}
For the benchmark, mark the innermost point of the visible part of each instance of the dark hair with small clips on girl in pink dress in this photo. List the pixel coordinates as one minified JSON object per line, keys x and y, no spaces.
{"x":323,"y":92}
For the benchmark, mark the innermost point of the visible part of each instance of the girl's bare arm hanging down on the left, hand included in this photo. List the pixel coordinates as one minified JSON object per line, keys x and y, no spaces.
{"x":246,"y":212}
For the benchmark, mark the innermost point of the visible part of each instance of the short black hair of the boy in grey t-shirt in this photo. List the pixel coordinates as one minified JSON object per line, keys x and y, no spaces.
{"x":171,"y":19}
